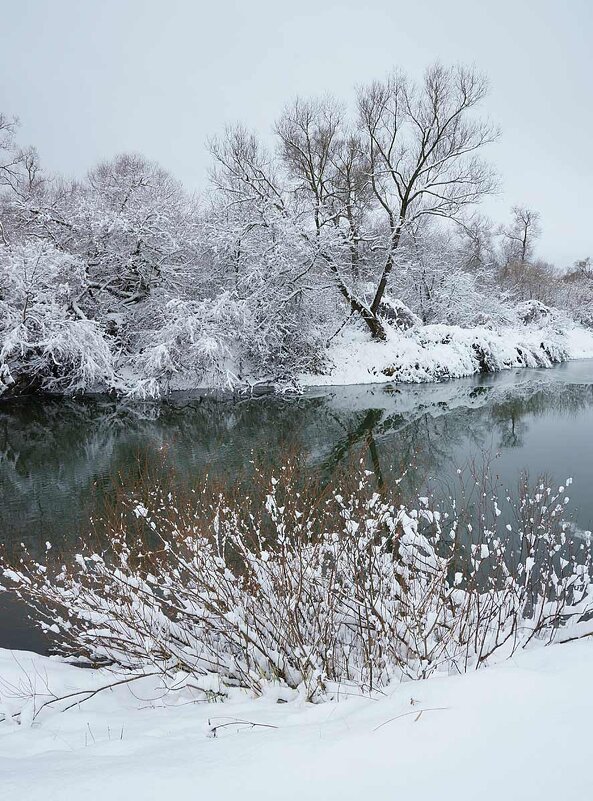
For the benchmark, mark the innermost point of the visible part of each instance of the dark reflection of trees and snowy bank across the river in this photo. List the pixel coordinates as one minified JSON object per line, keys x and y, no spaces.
{"x":59,"y":457}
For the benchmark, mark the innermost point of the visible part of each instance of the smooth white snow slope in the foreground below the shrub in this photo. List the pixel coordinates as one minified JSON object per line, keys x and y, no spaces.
{"x":518,"y":730}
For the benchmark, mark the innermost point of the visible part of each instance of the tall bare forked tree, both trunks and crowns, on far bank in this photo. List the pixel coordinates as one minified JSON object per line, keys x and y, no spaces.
{"x":415,"y":154}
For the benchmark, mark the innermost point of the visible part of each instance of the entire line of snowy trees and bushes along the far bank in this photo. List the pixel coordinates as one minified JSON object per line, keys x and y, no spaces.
{"x":361,"y":217}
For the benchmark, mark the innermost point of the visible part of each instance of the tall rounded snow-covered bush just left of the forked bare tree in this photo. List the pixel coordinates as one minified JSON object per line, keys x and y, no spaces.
{"x":273,"y":272}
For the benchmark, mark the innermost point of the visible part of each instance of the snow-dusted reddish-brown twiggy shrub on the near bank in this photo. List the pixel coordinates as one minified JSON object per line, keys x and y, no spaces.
{"x":312,"y":596}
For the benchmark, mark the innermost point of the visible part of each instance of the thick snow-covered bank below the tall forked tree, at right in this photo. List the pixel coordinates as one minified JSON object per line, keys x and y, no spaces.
{"x":438,"y":352}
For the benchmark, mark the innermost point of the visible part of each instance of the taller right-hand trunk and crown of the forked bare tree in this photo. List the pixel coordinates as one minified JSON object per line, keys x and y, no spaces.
{"x":423,"y":145}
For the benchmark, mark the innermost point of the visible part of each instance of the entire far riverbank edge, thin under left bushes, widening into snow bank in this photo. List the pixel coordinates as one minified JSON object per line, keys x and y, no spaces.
{"x":428,"y":354}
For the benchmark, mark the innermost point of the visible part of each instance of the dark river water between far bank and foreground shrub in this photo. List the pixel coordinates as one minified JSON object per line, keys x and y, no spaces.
{"x":59,"y":457}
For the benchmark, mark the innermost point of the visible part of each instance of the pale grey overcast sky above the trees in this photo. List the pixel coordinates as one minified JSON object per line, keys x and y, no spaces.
{"x":92,"y":78}
